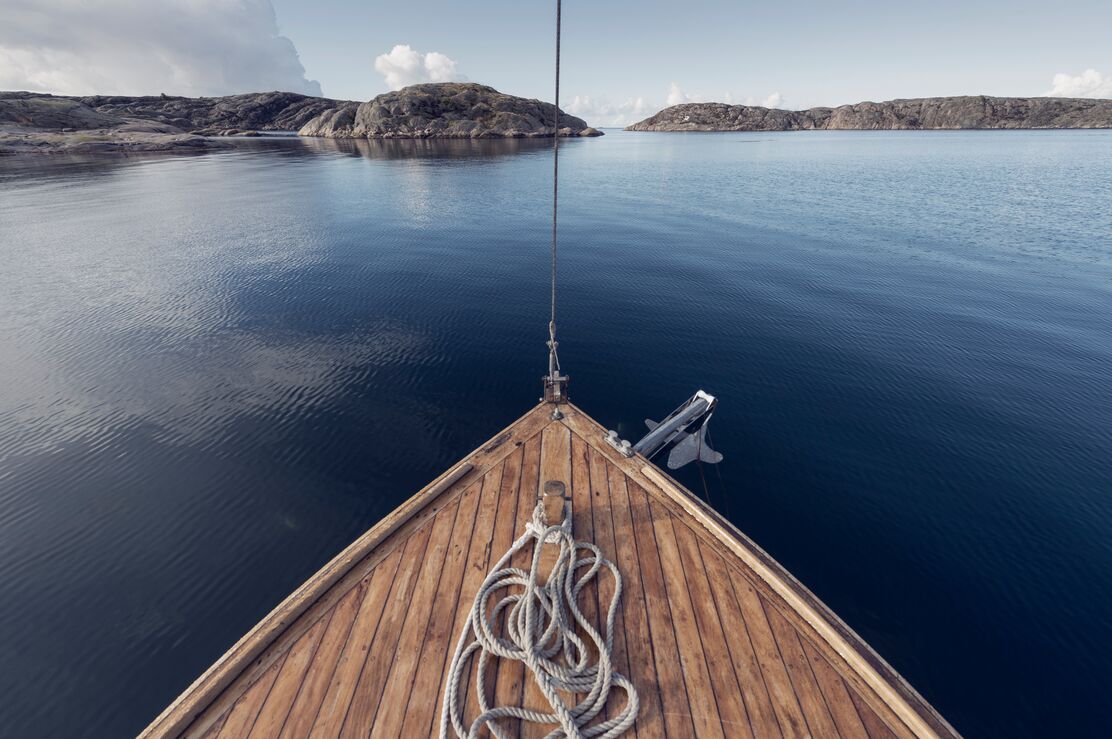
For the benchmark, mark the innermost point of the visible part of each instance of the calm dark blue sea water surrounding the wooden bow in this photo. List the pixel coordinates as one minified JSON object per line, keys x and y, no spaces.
{"x":217,"y":372}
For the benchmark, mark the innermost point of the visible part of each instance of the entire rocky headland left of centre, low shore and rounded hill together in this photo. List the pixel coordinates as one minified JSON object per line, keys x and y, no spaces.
{"x":38,"y":123}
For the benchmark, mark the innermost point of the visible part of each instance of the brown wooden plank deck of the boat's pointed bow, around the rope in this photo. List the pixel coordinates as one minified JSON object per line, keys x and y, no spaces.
{"x":720,"y":641}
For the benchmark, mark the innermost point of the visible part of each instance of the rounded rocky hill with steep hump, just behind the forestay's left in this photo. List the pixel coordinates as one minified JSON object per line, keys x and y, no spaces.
{"x":444,"y":111}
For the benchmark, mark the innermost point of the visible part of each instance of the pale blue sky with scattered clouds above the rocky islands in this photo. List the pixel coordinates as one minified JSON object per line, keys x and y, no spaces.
{"x":623,"y":61}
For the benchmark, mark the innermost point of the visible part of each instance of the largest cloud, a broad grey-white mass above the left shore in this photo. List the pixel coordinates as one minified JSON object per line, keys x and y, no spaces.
{"x":123,"y":47}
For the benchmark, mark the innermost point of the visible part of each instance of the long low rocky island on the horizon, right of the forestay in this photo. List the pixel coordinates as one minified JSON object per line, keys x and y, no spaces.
{"x":914,"y":115}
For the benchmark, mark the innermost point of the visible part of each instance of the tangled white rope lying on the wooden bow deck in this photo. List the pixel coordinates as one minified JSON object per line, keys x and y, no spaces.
{"x":541,"y":625}
